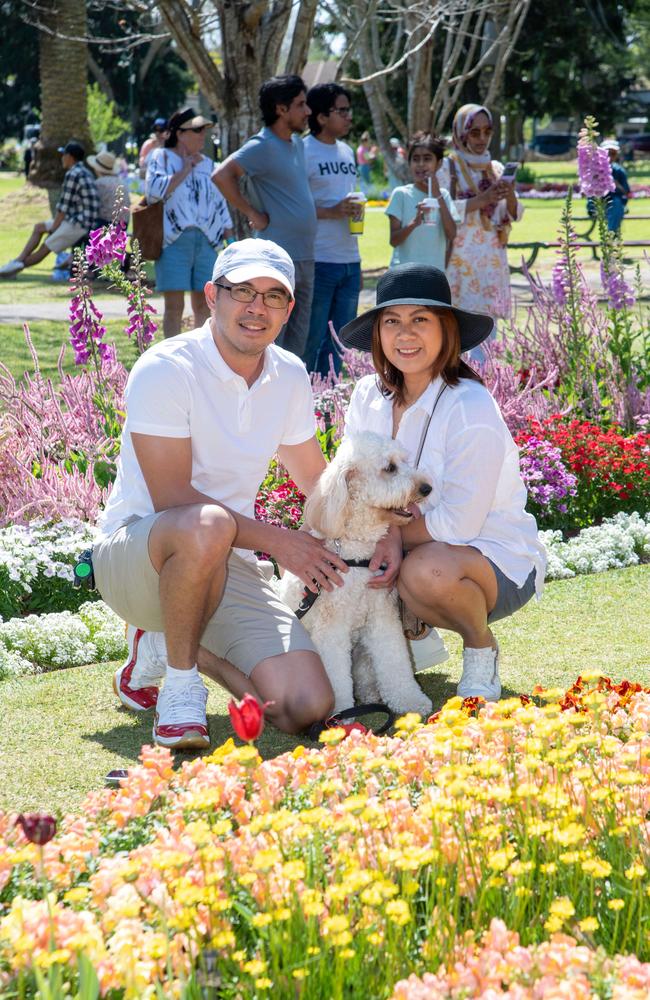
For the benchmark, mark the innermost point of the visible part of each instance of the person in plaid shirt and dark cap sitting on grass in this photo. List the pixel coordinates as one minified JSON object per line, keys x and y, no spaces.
{"x":76,"y":215}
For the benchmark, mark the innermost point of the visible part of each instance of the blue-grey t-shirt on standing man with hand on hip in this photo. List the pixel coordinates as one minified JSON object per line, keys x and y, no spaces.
{"x":277,"y":175}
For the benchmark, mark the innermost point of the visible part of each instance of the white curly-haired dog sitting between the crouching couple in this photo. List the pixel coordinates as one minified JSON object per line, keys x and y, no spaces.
{"x":357,"y":630}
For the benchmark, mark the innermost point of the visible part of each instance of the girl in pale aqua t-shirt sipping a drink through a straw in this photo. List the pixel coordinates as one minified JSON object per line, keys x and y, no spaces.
{"x":422,"y":214}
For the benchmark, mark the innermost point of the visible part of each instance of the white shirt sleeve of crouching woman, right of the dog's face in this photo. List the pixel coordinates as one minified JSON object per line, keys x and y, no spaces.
{"x":473,"y":461}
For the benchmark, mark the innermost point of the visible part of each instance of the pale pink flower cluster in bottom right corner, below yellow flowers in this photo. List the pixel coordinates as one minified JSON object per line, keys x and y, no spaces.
{"x":499,"y":966}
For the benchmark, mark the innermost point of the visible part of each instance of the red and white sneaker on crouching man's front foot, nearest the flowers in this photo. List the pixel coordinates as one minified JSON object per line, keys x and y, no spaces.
{"x":181,"y":721}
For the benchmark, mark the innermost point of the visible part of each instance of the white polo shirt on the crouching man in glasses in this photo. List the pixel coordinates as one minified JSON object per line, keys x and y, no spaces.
{"x":183,"y":388}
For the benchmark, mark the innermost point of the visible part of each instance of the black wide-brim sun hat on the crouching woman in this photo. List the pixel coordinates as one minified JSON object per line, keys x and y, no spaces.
{"x":416,"y":285}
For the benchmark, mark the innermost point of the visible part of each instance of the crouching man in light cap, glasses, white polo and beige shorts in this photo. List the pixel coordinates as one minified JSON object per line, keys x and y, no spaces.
{"x":205,"y":413}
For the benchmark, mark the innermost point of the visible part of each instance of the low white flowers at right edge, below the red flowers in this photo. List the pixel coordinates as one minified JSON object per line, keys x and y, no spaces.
{"x":622,"y":540}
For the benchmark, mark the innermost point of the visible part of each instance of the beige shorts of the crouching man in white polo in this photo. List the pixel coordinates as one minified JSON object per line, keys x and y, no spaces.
{"x":250,"y":624}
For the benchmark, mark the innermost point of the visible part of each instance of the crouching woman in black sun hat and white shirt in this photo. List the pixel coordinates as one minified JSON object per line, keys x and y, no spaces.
{"x":473,"y":553}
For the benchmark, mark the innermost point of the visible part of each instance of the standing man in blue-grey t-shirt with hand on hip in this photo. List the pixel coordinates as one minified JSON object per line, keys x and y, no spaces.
{"x":277,"y":201}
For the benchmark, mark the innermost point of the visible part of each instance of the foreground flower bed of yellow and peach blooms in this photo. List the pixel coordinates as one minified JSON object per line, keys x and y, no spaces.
{"x":340,"y":871}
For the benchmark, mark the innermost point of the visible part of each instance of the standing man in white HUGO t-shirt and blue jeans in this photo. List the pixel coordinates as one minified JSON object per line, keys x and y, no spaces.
{"x":332,"y":175}
